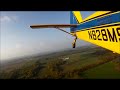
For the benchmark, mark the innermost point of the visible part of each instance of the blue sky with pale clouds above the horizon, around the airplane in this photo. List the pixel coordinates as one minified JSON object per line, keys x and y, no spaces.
{"x":17,"y":39}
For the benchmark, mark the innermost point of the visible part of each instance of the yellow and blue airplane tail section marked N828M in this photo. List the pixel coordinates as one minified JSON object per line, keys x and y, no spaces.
{"x":102,"y":28}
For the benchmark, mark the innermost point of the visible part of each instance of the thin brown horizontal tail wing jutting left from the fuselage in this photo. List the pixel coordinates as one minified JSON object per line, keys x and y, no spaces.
{"x":53,"y":26}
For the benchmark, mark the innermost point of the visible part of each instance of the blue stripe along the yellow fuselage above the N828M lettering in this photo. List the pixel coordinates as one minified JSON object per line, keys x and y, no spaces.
{"x":113,"y":18}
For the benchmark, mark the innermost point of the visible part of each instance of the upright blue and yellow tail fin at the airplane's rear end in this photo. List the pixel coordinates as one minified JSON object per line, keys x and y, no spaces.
{"x":75,"y":18}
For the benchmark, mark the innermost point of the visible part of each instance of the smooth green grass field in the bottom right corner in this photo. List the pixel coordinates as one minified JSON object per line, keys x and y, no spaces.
{"x":105,"y":71}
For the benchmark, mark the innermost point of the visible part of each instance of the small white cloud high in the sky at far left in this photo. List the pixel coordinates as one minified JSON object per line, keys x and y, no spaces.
{"x":8,"y":18}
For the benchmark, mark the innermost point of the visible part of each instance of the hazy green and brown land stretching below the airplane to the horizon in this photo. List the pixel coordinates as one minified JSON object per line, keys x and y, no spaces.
{"x":82,"y":63}
